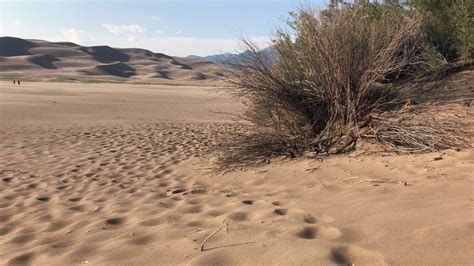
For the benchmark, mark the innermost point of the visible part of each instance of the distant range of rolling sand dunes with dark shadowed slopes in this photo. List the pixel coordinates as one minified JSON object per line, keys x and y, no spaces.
{"x":42,"y":60}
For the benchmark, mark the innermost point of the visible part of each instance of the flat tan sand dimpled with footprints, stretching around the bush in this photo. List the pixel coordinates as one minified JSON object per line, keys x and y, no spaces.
{"x":109,"y":174}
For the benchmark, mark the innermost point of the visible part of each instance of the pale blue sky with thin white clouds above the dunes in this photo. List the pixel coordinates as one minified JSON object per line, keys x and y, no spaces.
{"x":179,"y":27}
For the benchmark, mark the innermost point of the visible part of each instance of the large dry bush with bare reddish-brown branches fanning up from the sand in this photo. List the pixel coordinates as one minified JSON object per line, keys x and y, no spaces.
{"x":339,"y":81}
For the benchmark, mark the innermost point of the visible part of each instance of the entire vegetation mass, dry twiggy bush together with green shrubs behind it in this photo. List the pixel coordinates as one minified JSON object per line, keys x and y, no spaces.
{"x":353,"y":72}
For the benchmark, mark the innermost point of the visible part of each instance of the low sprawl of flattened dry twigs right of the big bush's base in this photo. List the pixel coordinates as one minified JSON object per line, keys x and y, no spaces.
{"x":422,"y":128}
